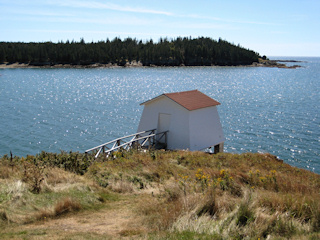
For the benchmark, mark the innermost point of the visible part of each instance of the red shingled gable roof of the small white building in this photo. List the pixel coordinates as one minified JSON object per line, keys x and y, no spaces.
{"x":191,"y":100}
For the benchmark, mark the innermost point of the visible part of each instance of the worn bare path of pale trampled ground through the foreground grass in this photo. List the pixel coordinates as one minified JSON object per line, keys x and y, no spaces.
{"x":119,"y":221}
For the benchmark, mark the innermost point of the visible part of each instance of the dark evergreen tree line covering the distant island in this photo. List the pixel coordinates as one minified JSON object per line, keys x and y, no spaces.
{"x":176,"y":52}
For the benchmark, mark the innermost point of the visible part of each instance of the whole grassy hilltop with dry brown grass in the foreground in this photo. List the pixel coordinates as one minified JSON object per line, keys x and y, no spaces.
{"x":157,"y":195}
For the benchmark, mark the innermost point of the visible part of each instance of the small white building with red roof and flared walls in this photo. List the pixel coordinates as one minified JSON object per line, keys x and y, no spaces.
{"x":191,"y":118}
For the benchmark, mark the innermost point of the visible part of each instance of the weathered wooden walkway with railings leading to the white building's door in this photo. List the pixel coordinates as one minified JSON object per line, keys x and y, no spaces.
{"x":149,"y":139}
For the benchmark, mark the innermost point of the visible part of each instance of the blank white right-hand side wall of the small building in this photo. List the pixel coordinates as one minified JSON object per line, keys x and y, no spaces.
{"x":205,"y":128}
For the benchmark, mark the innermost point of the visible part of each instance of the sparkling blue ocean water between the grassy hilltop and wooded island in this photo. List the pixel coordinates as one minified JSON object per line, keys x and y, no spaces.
{"x":262,"y":109}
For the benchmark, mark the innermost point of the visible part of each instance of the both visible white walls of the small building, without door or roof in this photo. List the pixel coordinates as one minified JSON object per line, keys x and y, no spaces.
{"x":193,"y":130}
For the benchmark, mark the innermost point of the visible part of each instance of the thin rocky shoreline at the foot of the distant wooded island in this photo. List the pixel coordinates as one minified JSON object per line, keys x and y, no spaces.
{"x":261,"y":63}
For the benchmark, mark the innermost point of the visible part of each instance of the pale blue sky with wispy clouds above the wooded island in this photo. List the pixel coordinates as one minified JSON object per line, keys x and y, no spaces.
{"x":271,"y":28}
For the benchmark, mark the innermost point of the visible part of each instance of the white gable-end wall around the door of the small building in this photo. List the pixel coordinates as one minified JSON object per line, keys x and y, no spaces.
{"x":178,"y":136}
